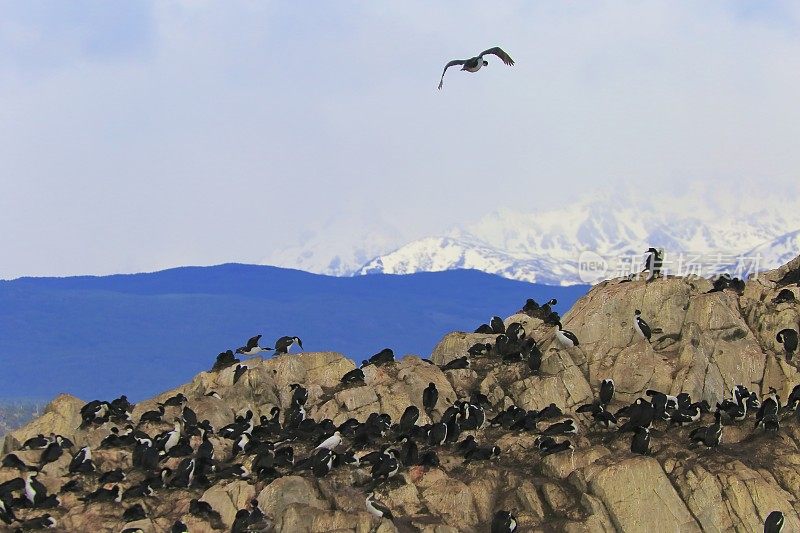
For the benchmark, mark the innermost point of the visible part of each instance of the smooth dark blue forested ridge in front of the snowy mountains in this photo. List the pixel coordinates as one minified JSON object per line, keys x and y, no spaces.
{"x":139,"y":334}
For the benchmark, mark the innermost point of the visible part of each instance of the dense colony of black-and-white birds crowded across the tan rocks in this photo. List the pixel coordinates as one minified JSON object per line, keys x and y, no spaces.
{"x":169,"y":452}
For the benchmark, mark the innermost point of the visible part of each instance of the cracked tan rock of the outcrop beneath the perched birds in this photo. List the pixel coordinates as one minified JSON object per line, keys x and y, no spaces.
{"x":704,"y":343}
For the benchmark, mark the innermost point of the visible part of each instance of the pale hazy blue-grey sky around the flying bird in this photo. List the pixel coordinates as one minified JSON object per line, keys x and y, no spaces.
{"x":140,"y":135}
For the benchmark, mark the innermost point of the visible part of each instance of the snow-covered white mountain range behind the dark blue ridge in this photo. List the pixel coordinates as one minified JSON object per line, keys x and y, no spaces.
{"x":546,"y":247}
